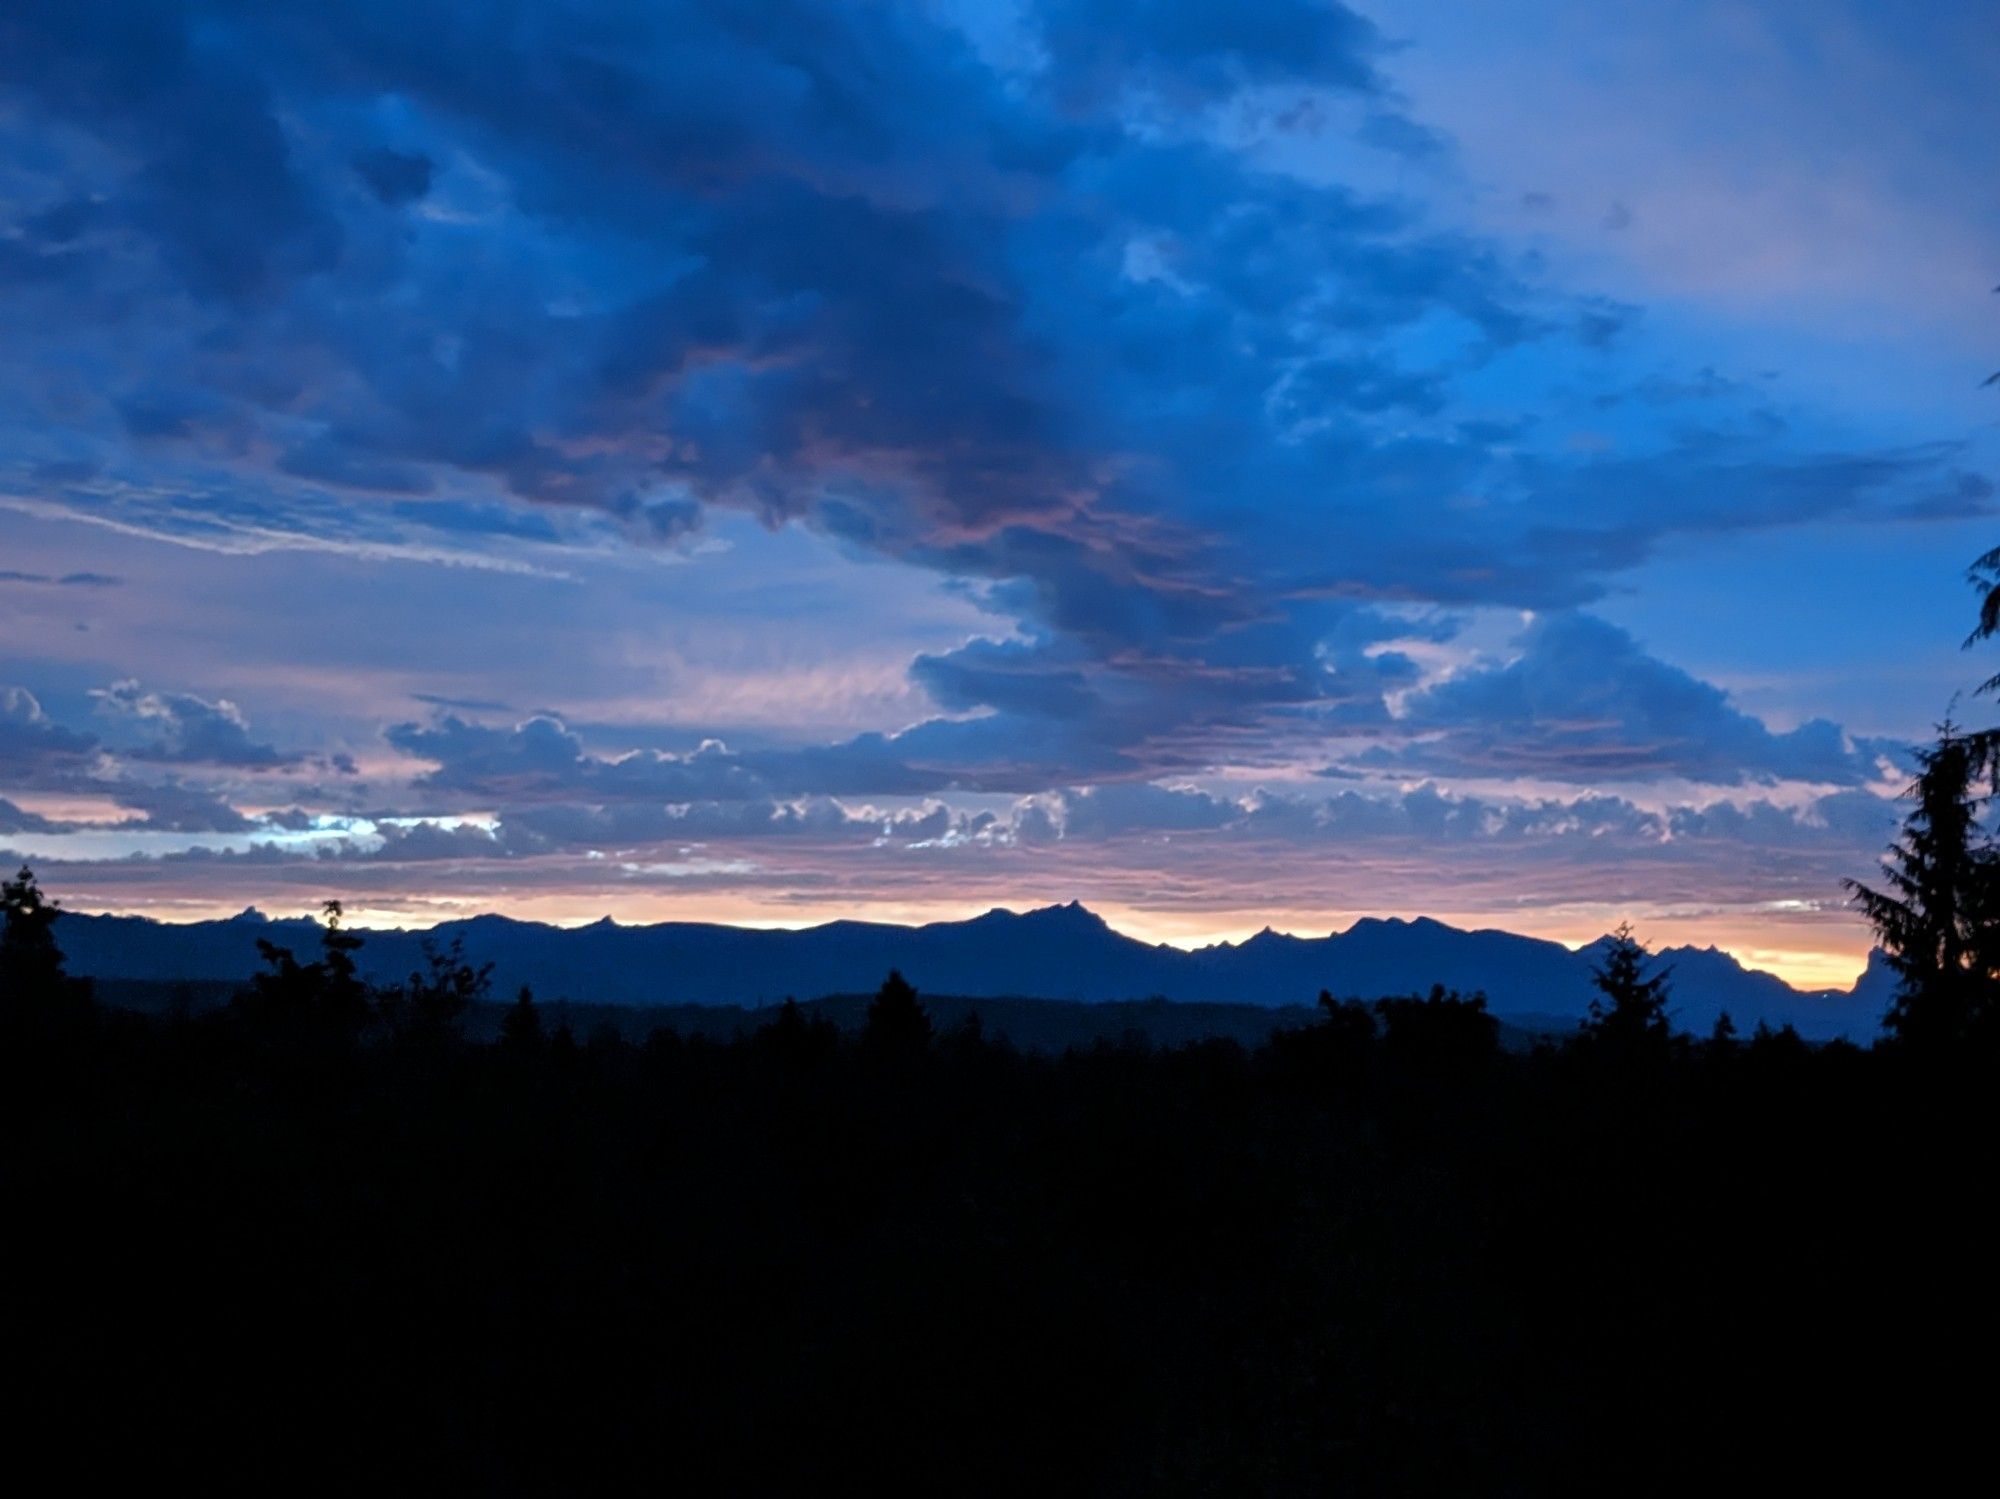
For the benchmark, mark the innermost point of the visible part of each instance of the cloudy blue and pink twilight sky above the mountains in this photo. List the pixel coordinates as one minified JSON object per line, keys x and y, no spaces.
{"x":1233,"y":463}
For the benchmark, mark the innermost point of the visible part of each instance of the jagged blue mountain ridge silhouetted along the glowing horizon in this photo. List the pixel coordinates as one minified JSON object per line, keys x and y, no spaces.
{"x":1059,"y":952}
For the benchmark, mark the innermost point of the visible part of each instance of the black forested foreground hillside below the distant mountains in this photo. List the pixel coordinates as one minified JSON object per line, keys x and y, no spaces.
{"x":247,"y":1250}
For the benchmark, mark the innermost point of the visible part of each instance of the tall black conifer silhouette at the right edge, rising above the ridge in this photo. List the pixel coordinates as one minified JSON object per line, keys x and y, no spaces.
{"x":1939,"y":906}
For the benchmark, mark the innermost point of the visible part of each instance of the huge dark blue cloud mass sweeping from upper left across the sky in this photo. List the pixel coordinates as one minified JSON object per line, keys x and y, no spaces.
{"x":1023,"y":321}
